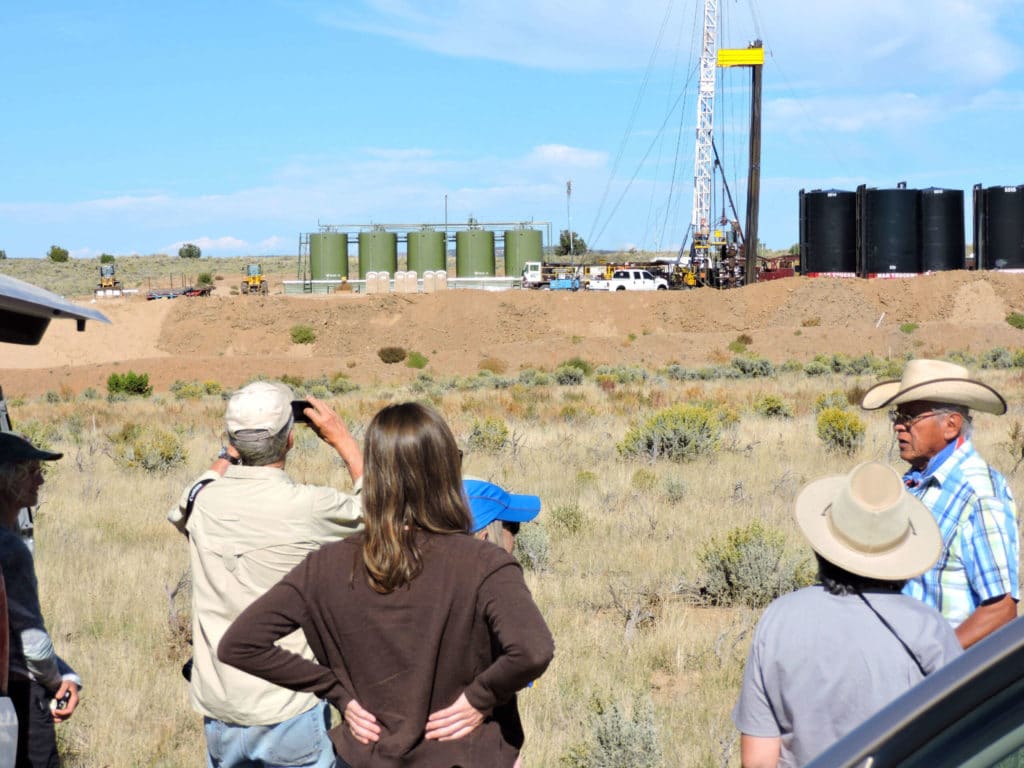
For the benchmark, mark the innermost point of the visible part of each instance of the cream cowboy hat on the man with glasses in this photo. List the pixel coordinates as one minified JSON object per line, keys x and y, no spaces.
{"x":935,"y":381}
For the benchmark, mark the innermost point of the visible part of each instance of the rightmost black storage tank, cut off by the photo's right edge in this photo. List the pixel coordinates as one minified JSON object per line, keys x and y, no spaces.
{"x":1000,"y":228}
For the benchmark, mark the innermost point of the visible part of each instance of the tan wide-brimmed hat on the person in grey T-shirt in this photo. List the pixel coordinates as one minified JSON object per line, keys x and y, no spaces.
{"x":867,"y":524}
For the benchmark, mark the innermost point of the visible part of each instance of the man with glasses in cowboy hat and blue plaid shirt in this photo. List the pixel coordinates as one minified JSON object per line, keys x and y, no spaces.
{"x":974,"y":583}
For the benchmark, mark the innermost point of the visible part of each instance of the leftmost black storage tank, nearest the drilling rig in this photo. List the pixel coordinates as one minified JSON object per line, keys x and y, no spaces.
{"x":829,"y":233}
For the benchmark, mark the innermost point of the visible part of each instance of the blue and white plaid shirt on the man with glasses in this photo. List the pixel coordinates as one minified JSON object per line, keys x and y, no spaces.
{"x":978,"y":521}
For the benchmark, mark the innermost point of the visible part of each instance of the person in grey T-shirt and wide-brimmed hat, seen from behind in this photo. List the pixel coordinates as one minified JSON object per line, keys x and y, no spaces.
{"x":827,"y":658}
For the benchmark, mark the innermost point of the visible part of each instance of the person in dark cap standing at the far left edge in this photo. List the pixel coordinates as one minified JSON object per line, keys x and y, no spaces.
{"x":44,"y":689}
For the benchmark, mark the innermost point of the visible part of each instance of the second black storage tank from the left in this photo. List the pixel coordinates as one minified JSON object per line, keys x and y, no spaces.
{"x":889,"y":242}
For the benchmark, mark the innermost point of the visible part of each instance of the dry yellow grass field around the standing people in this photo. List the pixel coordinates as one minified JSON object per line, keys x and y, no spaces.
{"x":107,"y":559}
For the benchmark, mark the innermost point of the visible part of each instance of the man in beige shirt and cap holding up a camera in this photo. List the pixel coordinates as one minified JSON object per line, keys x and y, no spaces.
{"x":248,"y":525}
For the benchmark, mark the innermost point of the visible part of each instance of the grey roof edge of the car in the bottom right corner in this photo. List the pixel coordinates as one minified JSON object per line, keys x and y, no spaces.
{"x":983,"y":672}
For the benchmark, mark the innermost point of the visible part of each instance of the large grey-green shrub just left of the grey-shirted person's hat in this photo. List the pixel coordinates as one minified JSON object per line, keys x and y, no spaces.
{"x":748,"y":567}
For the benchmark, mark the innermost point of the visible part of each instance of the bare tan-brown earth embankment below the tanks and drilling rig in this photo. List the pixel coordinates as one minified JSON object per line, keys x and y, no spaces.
{"x":229,"y":339}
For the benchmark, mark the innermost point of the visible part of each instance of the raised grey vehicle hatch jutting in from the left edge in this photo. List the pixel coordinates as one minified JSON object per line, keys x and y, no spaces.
{"x":26,"y":312}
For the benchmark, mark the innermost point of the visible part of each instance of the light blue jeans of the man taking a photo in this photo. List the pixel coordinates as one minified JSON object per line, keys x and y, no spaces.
{"x":302,"y":741}
